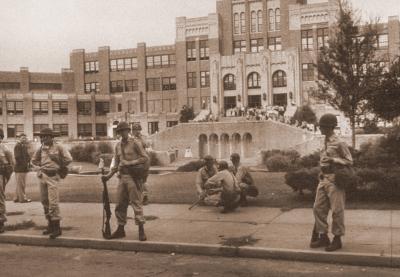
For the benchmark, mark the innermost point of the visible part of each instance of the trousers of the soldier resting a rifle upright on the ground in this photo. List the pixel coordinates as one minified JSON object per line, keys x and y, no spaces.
{"x":129,"y":192}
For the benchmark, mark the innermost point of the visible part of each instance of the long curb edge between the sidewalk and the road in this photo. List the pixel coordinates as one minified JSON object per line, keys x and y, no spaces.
{"x":356,"y":259}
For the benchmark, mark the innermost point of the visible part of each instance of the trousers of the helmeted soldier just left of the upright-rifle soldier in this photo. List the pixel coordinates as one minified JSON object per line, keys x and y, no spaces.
{"x":49,"y":196}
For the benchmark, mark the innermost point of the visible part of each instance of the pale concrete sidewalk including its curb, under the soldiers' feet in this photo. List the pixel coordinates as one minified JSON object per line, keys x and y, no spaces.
{"x":373,"y":237}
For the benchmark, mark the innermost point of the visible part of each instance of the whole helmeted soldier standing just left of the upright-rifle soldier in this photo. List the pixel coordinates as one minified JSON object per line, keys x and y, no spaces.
{"x":52,"y":159}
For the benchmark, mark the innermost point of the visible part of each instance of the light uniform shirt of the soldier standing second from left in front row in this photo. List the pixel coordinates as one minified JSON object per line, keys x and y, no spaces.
{"x":46,"y":157}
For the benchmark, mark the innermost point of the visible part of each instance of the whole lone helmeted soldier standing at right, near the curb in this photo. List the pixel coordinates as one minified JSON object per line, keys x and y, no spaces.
{"x":334,"y":155}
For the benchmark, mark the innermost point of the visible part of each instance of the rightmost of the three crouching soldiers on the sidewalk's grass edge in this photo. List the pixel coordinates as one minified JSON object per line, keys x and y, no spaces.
{"x":244,"y":178}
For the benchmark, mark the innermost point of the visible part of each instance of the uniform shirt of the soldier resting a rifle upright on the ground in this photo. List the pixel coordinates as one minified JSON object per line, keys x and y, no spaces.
{"x":133,"y":150}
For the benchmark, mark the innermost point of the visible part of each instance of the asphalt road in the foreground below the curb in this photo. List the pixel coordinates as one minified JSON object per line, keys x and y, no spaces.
{"x":20,"y":261}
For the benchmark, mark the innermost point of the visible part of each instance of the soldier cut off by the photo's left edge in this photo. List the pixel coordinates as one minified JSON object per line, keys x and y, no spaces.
{"x":6,"y":168}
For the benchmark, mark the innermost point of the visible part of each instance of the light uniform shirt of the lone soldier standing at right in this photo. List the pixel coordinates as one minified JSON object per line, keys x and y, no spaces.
{"x":337,"y":150}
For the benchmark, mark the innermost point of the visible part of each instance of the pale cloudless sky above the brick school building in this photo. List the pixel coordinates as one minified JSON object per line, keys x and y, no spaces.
{"x":40,"y":34}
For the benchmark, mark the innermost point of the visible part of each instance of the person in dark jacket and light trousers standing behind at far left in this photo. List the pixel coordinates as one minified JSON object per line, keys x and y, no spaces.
{"x":22,"y":161}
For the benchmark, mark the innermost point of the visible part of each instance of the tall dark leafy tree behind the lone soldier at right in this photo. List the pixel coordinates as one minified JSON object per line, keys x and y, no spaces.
{"x":348,"y":69}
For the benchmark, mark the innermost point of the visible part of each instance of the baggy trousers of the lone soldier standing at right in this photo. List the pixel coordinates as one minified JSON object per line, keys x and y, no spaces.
{"x":329,"y":197}
